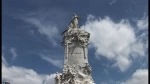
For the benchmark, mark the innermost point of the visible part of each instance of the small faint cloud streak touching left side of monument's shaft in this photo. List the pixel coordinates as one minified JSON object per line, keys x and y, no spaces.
{"x":55,"y":62}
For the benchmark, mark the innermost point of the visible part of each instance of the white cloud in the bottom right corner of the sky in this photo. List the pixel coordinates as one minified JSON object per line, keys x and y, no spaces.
{"x":138,"y":77}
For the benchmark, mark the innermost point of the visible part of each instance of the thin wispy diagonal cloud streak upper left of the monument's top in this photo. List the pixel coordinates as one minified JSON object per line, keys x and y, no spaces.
{"x":44,"y":28}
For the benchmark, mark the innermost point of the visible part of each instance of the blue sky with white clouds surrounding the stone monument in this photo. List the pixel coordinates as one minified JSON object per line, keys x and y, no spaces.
{"x":31,"y":39}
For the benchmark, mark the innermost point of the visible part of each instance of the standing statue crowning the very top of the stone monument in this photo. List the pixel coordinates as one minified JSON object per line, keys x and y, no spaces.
{"x":74,"y":21}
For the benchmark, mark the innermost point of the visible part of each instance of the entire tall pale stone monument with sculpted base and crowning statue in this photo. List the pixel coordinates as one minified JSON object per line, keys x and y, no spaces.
{"x":76,"y":69}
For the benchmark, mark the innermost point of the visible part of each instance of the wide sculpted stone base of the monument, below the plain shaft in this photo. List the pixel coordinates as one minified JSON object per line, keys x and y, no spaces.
{"x":72,"y":76}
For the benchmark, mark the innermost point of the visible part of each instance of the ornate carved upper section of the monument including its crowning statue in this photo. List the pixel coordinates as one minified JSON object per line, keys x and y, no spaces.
{"x":76,"y":35}
